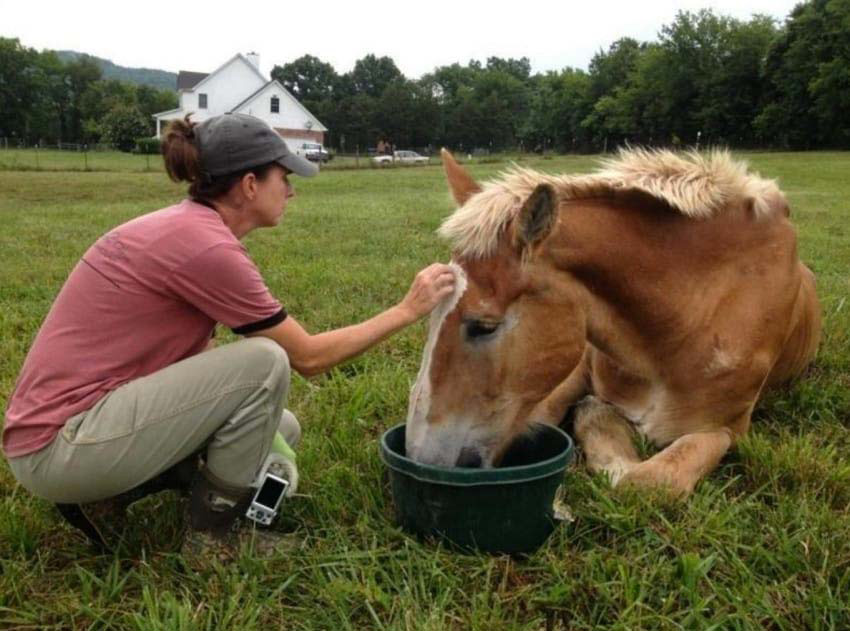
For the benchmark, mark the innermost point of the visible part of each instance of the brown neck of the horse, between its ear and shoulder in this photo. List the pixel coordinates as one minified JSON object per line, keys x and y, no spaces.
{"x":640,"y":271}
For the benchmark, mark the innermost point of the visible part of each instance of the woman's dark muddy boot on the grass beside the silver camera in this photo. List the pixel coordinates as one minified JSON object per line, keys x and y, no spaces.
{"x":217,"y":529}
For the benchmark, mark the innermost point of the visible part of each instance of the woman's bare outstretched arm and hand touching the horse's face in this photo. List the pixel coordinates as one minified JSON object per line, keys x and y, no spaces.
{"x":314,"y":354}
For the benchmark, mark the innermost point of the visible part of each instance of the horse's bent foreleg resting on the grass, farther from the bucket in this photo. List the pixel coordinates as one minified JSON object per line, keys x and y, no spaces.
{"x":683,"y":463}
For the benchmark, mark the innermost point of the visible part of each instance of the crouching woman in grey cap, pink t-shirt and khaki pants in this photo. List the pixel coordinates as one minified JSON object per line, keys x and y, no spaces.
{"x":115,"y":391}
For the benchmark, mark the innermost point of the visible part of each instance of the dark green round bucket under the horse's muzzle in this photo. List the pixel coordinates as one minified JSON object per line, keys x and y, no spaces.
{"x":503,"y":510}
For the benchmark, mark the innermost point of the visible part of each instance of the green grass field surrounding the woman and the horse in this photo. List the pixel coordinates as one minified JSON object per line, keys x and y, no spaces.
{"x":764,"y":543}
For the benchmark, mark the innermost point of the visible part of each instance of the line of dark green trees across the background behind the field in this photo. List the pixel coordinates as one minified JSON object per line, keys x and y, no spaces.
{"x":707,"y":79}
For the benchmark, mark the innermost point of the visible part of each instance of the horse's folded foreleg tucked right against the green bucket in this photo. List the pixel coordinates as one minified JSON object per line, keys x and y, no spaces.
{"x":606,"y":438}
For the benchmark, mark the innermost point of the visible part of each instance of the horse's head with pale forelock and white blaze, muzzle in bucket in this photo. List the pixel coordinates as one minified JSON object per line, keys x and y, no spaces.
{"x":507,"y":338}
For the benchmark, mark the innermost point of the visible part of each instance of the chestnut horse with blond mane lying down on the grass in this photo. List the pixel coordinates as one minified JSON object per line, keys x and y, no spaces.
{"x":665,"y":286}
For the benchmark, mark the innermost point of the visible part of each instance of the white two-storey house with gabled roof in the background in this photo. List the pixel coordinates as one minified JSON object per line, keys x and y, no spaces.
{"x":238,"y":86}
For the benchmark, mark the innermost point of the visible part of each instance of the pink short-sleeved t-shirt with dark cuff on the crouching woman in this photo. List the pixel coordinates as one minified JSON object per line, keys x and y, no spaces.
{"x":147,"y":294}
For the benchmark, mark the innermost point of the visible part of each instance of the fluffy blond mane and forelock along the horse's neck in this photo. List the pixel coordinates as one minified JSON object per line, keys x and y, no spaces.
{"x":697,"y":185}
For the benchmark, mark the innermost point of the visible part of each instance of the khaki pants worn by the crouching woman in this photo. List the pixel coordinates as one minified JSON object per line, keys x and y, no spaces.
{"x":229,"y":400}
